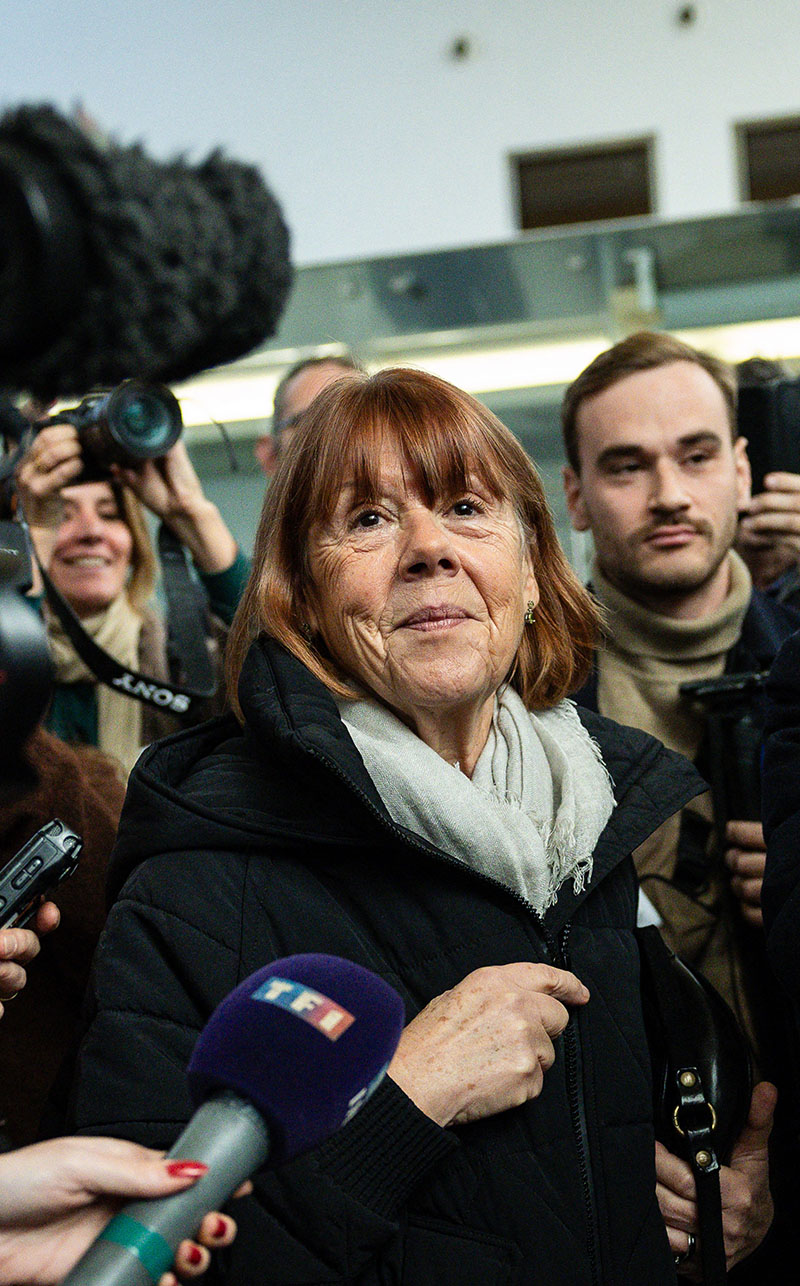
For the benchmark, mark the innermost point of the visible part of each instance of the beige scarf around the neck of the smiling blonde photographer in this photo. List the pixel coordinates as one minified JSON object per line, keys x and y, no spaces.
{"x":116,"y":631}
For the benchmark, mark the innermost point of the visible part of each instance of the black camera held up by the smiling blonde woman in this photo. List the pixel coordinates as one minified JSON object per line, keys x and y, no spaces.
{"x":134,"y":422}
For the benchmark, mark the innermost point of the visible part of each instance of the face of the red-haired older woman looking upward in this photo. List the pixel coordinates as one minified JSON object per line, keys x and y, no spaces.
{"x":423,"y":604}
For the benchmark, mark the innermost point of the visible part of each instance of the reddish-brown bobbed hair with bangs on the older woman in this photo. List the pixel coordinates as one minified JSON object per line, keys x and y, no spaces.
{"x":446,"y":438}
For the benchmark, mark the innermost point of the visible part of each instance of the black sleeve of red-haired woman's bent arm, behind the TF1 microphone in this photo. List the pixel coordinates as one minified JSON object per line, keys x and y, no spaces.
{"x":161,"y":969}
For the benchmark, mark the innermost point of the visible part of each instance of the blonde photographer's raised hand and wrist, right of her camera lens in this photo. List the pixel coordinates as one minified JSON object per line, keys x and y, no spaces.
{"x":172,"y":491}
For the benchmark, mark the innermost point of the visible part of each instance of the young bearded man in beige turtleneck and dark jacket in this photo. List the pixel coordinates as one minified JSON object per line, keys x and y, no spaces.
{"x":659,"y":476}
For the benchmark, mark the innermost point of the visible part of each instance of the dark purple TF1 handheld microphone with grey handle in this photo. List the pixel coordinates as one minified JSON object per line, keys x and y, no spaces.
{"x":287,"y":1059}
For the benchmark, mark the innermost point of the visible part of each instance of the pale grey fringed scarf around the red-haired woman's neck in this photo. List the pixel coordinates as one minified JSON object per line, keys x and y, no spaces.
{"x":533,"y":812}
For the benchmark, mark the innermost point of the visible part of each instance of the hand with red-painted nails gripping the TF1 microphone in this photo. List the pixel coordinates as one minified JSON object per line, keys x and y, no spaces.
{"x":56,"y":1198}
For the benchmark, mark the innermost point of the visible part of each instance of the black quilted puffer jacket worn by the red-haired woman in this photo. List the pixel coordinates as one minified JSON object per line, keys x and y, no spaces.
{"x":239,"y":848}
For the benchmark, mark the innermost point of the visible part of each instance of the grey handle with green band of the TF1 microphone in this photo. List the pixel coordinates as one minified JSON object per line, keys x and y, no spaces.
{"x":140,"y":1244}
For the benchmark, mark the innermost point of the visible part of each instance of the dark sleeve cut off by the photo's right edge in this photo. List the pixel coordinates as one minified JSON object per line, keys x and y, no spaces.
{"x":781,"y":810}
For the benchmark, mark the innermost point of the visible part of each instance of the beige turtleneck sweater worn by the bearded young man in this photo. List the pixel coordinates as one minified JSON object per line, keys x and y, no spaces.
{"x":642,"y":663}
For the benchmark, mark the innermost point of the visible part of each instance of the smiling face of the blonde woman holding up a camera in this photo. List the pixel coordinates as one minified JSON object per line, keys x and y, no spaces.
{"x":93,"y":548}
